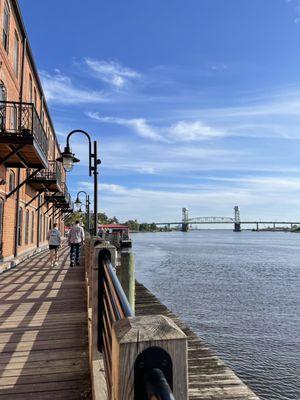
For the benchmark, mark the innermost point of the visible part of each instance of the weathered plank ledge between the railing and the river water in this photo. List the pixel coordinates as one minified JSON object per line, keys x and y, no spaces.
{"x":209,"y":377}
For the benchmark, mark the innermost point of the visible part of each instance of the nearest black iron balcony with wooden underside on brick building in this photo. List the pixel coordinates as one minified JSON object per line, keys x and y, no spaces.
{"x":23,"y":141}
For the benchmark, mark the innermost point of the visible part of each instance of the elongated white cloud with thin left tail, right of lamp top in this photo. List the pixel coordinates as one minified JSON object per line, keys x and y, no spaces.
{"x":182,"y":131}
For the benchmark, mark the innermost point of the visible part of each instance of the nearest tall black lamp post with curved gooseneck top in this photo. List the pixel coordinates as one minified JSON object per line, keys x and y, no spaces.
{"x":68,"y":159}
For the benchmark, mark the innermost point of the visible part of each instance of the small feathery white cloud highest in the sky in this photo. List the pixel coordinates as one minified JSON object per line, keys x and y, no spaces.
{"x":112,"y":72}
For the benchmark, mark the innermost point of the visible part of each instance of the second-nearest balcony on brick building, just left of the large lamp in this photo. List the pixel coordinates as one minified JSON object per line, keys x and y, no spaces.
{"x":47,"y":179}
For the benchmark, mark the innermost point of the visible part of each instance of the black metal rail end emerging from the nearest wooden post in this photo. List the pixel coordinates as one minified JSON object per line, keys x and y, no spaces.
{"x":157,"y":387}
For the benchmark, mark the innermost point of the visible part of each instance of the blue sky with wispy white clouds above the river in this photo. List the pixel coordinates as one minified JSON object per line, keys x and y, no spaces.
{"x":194,"y":103}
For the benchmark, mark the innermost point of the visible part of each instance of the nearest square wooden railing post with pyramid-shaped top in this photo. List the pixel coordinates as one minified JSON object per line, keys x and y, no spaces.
{"x":149,"y":336}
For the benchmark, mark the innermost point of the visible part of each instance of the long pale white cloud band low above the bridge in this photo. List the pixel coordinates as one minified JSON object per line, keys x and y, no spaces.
{"x":163,"y":205}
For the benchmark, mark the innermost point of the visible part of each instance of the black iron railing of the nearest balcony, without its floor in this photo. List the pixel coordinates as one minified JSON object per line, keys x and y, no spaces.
{"x":22,"y":120}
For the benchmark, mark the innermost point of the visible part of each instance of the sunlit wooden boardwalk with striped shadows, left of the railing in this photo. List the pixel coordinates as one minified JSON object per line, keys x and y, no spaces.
{"x":43,"y":331}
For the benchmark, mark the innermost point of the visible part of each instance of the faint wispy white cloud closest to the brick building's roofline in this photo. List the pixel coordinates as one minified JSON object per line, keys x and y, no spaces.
{"x":60,"y":89}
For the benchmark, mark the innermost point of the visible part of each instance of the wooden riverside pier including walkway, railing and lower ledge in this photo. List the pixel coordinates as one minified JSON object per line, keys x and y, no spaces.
{"x":71,"y":333}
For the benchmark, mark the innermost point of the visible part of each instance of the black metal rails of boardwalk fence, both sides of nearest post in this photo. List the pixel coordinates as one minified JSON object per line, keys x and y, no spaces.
{"x":114,"y":306}
